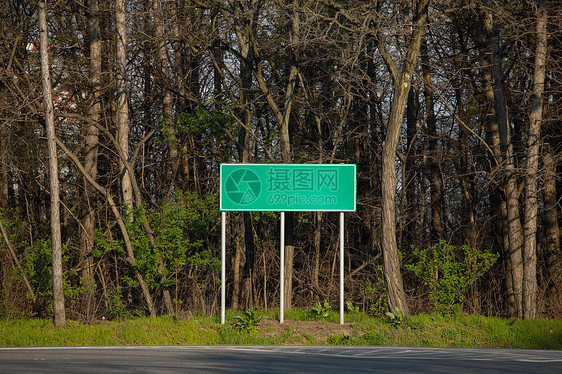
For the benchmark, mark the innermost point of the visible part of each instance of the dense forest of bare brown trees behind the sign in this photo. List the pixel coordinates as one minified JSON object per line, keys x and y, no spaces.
{"x":451,"y":111}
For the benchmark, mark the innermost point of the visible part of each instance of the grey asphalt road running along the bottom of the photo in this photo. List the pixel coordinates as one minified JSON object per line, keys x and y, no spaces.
{"x":275,"y":359}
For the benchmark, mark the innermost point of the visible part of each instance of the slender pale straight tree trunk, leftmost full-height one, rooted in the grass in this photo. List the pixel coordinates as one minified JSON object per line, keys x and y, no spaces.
{"x":56,"y":240}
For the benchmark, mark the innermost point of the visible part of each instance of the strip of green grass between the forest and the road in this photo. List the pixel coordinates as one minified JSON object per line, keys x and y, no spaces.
{"x":432,"y":330}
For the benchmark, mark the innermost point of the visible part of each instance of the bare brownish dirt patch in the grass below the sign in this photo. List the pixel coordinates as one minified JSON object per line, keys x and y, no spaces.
{"x":304,"y":332}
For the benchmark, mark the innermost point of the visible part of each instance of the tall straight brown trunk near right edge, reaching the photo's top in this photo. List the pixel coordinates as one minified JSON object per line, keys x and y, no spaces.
{"x":531,"y":198}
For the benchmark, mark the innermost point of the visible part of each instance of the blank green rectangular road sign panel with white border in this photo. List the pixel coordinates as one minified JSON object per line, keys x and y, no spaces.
{"x":288,"y":187}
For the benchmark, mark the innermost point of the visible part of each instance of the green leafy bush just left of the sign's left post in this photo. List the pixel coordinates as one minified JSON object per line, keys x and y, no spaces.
{"x":179,"y":230}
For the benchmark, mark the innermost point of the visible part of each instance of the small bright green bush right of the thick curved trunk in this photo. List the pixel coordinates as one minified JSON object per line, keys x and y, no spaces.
{"x":449,"y":271}
